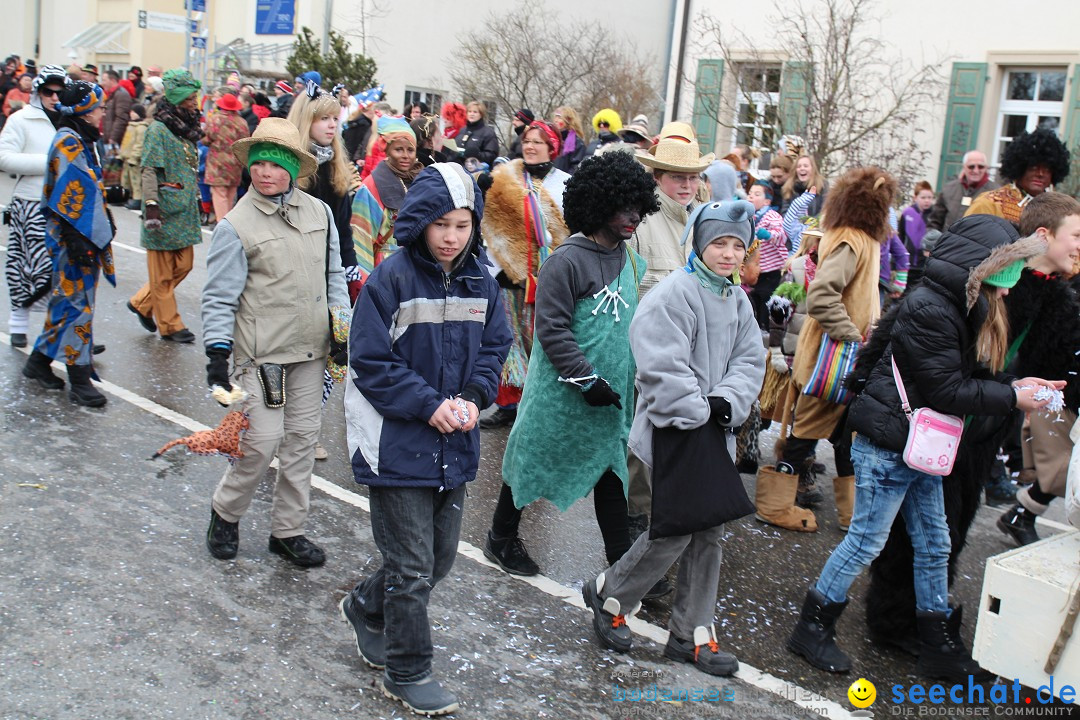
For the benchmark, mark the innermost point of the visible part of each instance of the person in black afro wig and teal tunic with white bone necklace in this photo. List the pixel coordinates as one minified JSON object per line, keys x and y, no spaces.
{"x":577,"y":406}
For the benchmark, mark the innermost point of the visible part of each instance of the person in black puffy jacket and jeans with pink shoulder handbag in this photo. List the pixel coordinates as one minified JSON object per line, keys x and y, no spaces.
{"x":947,"y":344}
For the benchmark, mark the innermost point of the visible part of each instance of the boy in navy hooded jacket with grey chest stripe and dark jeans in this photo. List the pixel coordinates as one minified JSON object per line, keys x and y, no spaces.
{"x":428,"y":342}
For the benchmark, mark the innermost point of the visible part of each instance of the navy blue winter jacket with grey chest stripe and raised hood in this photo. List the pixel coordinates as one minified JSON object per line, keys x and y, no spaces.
{"x":421,"y":336}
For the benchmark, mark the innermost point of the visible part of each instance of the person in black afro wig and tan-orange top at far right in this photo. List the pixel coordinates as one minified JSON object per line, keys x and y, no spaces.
{"x":1033,"y":162}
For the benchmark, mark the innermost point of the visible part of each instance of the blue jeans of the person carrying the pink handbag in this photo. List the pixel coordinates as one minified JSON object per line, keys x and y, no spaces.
{"x":885,"y":486}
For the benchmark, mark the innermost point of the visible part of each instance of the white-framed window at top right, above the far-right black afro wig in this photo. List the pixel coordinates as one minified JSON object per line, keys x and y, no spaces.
{"x":1031,"y":99}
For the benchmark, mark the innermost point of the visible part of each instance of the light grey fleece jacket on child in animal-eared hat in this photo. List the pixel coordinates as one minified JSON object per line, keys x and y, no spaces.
{"x":691,"y":344}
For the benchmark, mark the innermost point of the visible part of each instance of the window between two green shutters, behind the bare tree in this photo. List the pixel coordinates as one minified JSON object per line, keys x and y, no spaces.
{"x":758,"y":107}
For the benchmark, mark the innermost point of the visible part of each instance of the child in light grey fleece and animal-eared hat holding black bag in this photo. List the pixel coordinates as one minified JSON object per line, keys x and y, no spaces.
{"x":700,"y":360}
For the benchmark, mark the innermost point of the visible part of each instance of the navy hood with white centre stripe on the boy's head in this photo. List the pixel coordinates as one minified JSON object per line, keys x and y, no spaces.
{"x":439,"y":189}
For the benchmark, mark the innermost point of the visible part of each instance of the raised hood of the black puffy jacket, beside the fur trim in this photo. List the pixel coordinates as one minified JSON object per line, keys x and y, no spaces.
{"x":960,"y":251}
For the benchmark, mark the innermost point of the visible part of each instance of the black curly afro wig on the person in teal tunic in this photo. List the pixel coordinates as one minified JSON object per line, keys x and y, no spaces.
{"x":605,"y":185}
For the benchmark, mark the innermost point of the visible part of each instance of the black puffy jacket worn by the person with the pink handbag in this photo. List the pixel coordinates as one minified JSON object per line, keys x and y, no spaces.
{"x":933,"y":335}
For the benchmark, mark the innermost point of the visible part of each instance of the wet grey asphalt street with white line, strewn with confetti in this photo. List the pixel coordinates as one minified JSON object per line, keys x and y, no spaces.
{"x":111,"y":606}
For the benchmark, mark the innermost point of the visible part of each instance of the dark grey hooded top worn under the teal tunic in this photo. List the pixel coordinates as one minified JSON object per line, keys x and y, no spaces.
{"x":577,"y":269}
